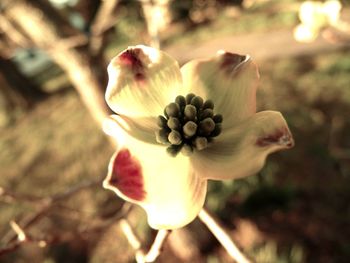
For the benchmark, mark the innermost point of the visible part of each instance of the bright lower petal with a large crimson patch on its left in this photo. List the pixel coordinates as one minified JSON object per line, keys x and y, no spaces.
{"x":166,"y":187}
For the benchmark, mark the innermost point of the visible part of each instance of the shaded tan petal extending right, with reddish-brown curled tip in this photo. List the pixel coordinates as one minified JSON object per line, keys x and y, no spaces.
{"x":242,"y":151}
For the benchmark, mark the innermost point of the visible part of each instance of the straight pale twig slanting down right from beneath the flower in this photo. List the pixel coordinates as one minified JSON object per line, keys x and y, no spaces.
{"x":223,"y":237}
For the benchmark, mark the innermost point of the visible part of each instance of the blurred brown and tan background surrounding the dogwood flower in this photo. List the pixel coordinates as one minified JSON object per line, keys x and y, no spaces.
{"x":53,"y":153}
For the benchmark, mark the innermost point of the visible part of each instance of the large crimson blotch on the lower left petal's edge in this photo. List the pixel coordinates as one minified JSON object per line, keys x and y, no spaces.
{"x":127,"y":176}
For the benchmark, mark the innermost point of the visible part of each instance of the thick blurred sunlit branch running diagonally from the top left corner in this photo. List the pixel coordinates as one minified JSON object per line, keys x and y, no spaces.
{"x":67,"y":46}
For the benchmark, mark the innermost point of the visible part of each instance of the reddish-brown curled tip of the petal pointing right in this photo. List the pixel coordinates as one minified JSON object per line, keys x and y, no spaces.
{"x":280,"y":137}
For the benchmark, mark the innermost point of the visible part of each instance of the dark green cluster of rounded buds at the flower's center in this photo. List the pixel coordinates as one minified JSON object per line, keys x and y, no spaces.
{"x":188,"y":124}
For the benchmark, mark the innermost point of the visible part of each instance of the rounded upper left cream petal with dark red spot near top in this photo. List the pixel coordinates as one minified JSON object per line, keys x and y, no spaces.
{"x":142,"y":81}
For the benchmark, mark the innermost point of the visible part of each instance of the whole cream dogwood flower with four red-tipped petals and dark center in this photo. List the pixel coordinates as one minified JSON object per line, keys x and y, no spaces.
{"x":178,"y":128}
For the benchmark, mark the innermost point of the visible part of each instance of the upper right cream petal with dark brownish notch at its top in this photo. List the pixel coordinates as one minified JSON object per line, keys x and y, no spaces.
{"x":230,"y":80}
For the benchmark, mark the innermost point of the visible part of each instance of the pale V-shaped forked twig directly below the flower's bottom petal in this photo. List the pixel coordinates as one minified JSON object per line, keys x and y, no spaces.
{"x":135,"y":243}
